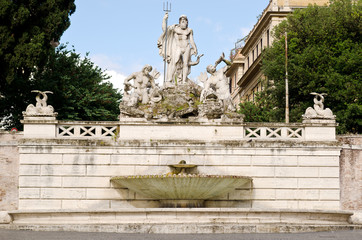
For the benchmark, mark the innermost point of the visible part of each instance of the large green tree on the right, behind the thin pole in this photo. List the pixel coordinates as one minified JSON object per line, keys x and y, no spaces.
{"x":325,"y":56}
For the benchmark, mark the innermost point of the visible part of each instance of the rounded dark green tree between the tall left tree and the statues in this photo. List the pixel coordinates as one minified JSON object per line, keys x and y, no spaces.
{"x":81,"y":90}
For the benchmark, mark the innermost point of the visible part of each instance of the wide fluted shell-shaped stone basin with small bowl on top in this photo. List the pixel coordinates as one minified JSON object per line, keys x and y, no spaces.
{"x":181,"y":187}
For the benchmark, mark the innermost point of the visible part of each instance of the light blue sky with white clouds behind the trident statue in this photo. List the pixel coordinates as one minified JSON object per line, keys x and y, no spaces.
{"x":120,"y":36}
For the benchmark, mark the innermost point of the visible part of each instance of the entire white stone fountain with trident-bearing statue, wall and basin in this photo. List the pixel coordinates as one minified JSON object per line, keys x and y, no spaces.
{"x":65,"y":166}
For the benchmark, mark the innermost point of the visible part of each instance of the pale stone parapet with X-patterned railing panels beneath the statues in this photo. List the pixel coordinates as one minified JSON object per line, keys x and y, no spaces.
{"x":308,"y":130}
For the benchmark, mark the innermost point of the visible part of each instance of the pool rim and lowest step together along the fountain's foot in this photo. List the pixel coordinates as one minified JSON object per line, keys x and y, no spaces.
{"x":182,"y":220}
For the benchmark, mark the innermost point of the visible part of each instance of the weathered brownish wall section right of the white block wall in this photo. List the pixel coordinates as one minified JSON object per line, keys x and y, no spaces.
{"x":351,"y":172}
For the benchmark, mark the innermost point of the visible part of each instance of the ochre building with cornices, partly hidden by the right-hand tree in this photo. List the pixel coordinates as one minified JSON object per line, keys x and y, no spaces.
{"x":245,"y":73}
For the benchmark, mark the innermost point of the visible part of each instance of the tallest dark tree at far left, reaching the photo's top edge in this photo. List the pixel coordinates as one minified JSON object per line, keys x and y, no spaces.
{"x":27,"y":29}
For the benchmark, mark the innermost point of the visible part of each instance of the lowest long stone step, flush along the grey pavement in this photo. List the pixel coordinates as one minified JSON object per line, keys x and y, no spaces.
{"x":183,"y":228}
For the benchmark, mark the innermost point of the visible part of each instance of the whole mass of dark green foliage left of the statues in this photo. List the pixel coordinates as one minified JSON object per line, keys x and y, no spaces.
{"x":28,"y":61}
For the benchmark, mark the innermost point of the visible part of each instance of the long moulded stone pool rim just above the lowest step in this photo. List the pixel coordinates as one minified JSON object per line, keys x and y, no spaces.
{"x":182,"y":216}
